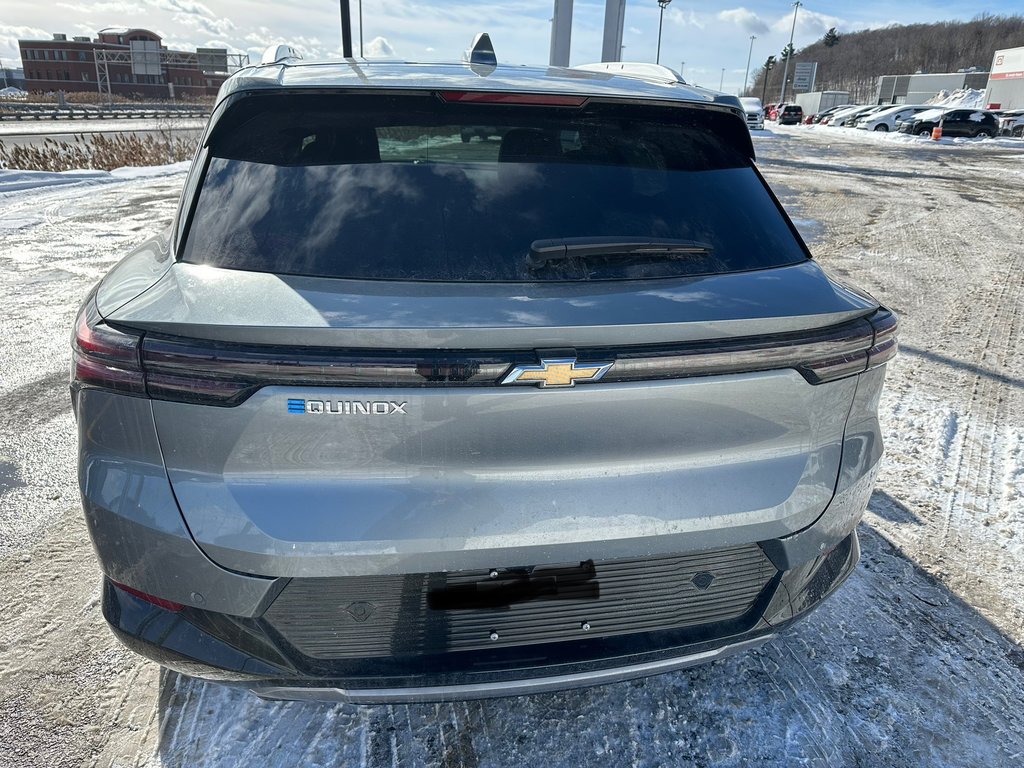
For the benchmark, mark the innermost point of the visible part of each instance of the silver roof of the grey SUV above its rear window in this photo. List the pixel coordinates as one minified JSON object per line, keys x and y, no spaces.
{"x":463,"y":76}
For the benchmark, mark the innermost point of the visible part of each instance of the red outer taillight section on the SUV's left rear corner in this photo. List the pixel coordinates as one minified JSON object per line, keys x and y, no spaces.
{"x":103,"y":357}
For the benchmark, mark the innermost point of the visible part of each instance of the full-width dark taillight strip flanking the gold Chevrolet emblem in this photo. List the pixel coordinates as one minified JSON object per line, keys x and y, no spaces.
{"x":212,"y":373}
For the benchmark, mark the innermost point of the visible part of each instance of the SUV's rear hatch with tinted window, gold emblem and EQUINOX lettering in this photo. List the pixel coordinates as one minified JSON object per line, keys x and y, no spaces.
{"x":347,"y":364}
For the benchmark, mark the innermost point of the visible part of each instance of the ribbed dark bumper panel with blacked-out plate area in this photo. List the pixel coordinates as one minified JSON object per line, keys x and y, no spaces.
{"x":413,"y":615}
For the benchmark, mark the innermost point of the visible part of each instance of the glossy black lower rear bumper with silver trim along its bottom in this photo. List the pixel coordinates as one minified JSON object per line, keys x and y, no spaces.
{"x":249,"y":654}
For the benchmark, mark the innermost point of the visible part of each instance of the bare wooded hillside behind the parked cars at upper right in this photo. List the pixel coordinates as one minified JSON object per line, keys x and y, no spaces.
{"x":854,"y":62}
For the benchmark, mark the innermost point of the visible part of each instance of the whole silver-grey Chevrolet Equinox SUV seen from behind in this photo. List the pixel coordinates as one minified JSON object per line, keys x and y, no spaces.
{"x":388,"y":415}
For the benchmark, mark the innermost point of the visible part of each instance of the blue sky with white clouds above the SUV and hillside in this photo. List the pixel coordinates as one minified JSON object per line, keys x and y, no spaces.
{"x":709,"y":37}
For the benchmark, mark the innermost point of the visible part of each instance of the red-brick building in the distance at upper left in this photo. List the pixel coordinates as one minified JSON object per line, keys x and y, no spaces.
{"x":133,"y":63}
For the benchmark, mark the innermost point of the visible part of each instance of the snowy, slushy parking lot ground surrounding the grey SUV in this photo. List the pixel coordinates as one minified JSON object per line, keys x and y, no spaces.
{"x":917,"y":661}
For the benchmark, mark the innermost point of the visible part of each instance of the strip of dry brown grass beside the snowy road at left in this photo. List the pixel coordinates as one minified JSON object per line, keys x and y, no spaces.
{"x":100,"y":153}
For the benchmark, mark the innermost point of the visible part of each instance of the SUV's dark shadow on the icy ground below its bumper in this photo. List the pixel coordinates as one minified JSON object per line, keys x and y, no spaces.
{"x":893,"y":670}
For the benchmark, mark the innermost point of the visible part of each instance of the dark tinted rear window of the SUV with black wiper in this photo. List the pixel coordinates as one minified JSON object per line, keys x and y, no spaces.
{"x":415,"y":188}
